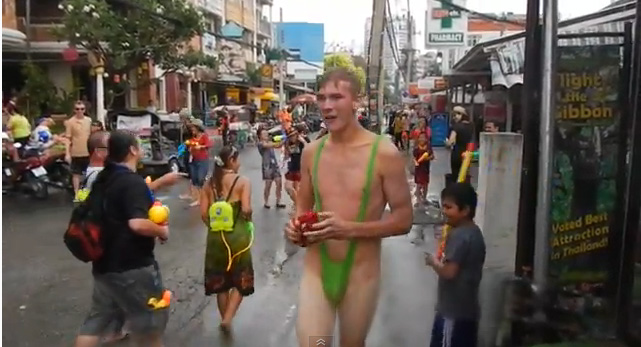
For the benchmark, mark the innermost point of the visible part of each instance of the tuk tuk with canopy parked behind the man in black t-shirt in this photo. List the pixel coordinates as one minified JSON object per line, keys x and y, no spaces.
{"x":160,"y":137}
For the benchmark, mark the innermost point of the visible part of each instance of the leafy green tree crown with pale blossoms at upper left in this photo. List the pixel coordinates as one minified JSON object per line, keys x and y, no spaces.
{"x":129,"y":33}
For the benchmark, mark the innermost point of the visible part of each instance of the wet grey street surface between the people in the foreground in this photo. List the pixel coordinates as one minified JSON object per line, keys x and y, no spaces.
{"x":46,"y":291}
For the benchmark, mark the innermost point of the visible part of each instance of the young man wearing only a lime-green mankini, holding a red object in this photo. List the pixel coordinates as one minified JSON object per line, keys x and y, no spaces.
{"x":337,"y":165}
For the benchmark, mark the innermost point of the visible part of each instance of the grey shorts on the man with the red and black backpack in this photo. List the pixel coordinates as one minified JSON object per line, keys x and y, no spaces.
{"x":119,"y":296}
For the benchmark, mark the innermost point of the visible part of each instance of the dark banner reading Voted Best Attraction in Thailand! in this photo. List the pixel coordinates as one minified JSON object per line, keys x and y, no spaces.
{"x":585,"y":164}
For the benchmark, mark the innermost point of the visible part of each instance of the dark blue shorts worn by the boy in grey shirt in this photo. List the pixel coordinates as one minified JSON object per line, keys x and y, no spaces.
{"x":448,"y":332}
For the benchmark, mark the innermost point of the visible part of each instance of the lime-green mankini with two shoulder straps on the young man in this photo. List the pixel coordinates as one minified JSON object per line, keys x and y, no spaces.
{"x":335,"y":274}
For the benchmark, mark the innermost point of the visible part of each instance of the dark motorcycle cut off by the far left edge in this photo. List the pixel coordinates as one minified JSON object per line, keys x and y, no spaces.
{"x":25,"y":175}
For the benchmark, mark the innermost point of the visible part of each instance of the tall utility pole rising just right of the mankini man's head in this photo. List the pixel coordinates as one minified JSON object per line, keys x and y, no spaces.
{"x":375,"y":74}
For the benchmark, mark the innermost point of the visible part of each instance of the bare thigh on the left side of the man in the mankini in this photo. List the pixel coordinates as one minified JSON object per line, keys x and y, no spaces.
{"x":316,"y":316}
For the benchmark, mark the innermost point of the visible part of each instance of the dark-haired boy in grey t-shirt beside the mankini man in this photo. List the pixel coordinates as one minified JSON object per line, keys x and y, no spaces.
{"x":459,"y":271}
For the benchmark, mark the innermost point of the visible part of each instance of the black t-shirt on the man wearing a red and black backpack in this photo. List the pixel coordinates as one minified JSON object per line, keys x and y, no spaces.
{"x":127,"y":197}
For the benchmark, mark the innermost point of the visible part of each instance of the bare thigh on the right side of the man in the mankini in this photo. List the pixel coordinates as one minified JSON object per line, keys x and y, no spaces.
{"x":356,"y":312}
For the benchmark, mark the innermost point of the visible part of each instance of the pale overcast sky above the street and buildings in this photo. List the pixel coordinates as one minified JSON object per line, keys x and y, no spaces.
{"x":345,"y":19}
